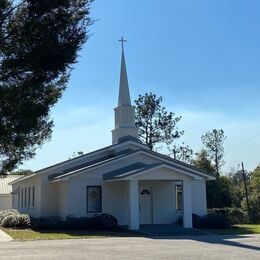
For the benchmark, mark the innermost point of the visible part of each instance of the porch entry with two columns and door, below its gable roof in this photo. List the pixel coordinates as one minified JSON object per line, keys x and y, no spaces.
{"x":154,"y":202}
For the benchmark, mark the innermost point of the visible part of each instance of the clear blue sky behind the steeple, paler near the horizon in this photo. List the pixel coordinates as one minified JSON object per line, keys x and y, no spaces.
{"x":202,"y":57}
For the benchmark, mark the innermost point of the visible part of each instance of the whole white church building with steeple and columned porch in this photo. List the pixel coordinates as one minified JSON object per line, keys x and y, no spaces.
{"x":126,"y":179}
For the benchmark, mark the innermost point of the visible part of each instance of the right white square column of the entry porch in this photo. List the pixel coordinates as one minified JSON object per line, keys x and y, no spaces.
{"x":187,"y":204}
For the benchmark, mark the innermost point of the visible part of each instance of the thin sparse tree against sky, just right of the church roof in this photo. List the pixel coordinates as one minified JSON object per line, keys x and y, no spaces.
{"x":214,"y":143}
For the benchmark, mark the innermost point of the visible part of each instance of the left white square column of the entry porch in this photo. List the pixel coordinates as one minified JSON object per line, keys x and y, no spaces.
{"x":133,"y":205}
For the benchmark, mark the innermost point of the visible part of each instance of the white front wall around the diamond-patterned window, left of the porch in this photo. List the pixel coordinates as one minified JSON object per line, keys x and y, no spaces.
{"x":72,"y":198}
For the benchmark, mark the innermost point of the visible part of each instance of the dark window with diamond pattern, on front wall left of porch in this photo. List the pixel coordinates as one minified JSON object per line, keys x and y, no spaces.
{"x":94,"y":199}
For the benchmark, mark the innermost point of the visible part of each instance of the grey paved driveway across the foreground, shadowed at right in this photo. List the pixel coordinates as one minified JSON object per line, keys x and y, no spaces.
{"x":196,"y":247}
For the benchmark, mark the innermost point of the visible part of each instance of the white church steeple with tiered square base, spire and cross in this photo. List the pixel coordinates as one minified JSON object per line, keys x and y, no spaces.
{"x":124,"y":112}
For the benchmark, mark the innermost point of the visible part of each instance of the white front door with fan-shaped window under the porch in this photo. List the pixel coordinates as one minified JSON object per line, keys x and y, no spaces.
{"x":146,"y":205}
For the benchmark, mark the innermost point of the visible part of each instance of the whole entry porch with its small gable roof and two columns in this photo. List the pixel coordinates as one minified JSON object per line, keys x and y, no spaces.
{"x":150,"y":195}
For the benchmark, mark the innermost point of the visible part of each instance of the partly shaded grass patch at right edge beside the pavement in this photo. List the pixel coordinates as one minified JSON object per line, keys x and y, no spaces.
{"x":238,"y":230}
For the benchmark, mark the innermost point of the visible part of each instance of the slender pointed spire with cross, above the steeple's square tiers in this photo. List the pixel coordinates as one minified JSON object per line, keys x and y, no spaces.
{"x":124,"y":96}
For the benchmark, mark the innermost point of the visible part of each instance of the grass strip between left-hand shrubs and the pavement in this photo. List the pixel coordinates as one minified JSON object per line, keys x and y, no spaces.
{"x":29,"y":234}
